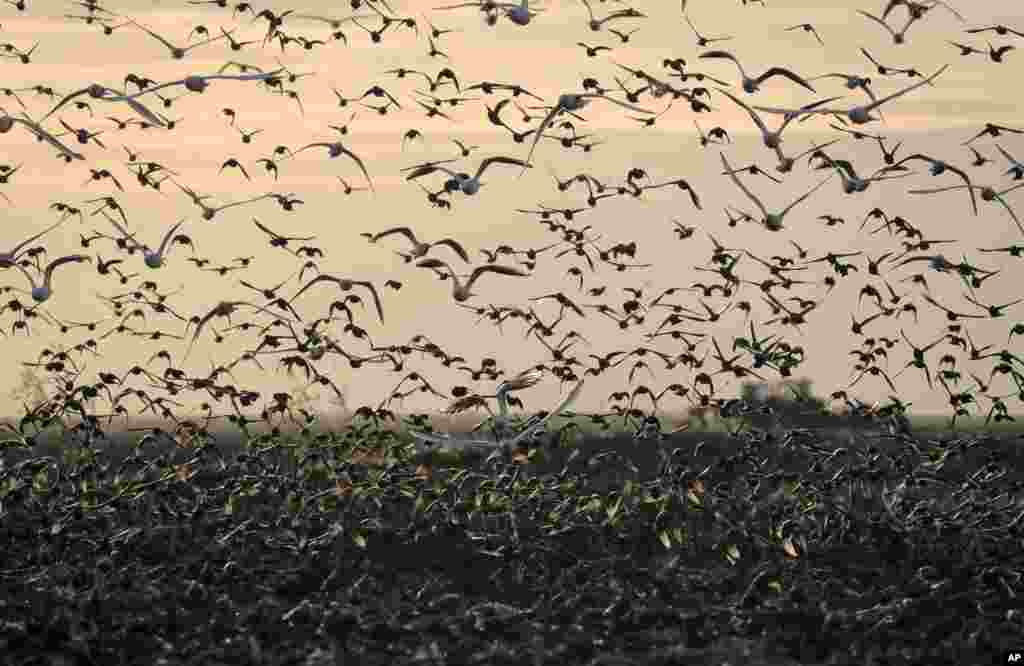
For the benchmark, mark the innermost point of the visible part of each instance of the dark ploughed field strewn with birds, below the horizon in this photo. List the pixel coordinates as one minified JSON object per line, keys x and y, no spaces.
{"x":834,"y":544}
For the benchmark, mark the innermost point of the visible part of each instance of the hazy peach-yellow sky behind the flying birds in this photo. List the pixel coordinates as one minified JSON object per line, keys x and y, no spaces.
{"x":544,"y":58}
